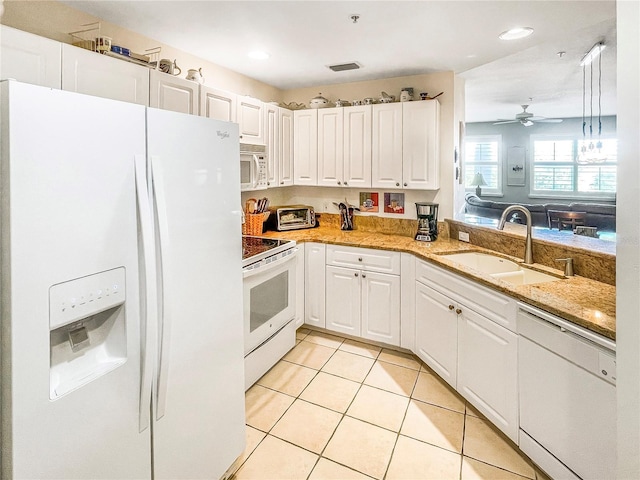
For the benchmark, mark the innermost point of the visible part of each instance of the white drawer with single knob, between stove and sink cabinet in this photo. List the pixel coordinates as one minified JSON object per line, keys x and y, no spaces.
{"x":381,"y":261}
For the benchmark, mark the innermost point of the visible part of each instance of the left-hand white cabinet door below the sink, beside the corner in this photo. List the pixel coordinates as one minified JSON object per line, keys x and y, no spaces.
{"x":437,"y":332}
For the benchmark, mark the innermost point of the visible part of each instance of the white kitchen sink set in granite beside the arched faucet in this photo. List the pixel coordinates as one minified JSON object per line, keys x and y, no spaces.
{"x":500,"y":268}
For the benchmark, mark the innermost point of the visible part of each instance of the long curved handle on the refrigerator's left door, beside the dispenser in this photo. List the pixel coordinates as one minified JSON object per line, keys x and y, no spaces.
{"x":148,"y":305}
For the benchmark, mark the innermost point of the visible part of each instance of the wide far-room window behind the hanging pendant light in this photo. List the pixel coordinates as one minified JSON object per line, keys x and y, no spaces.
{"x":556,"y":173}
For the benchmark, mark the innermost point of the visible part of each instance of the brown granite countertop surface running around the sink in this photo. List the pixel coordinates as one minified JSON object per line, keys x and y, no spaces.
{"x":583,"y":301}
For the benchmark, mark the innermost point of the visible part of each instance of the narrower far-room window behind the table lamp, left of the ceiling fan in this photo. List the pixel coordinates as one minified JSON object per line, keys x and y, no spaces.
{"x":482,"y":155}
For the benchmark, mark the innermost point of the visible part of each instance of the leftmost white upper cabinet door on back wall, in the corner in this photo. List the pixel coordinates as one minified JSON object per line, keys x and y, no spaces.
{"x":305,"y":149}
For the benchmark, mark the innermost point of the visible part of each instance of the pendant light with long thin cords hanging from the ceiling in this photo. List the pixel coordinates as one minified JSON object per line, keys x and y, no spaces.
{"x":591,"y":152}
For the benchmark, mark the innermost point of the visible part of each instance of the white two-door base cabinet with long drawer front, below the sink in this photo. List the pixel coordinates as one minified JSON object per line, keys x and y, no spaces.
{"x":465,"y":333}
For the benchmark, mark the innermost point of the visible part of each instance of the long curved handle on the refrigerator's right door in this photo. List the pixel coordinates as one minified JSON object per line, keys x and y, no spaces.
{"x":164,"y":315}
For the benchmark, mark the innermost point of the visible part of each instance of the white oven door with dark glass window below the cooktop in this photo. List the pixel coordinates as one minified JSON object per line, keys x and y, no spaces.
{"x":269,"y":300}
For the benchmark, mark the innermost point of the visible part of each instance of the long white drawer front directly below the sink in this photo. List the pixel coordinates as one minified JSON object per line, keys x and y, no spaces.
{"x":499,"y":308}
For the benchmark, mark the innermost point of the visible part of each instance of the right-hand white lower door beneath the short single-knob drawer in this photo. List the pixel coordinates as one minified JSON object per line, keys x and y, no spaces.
{"x":380,"y":307}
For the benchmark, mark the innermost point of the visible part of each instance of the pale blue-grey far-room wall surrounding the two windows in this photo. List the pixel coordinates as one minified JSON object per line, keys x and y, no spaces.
{"x":514,"y":134}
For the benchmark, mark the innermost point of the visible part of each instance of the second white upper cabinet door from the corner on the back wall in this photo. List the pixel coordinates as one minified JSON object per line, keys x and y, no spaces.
{"x":330,"y":148}
